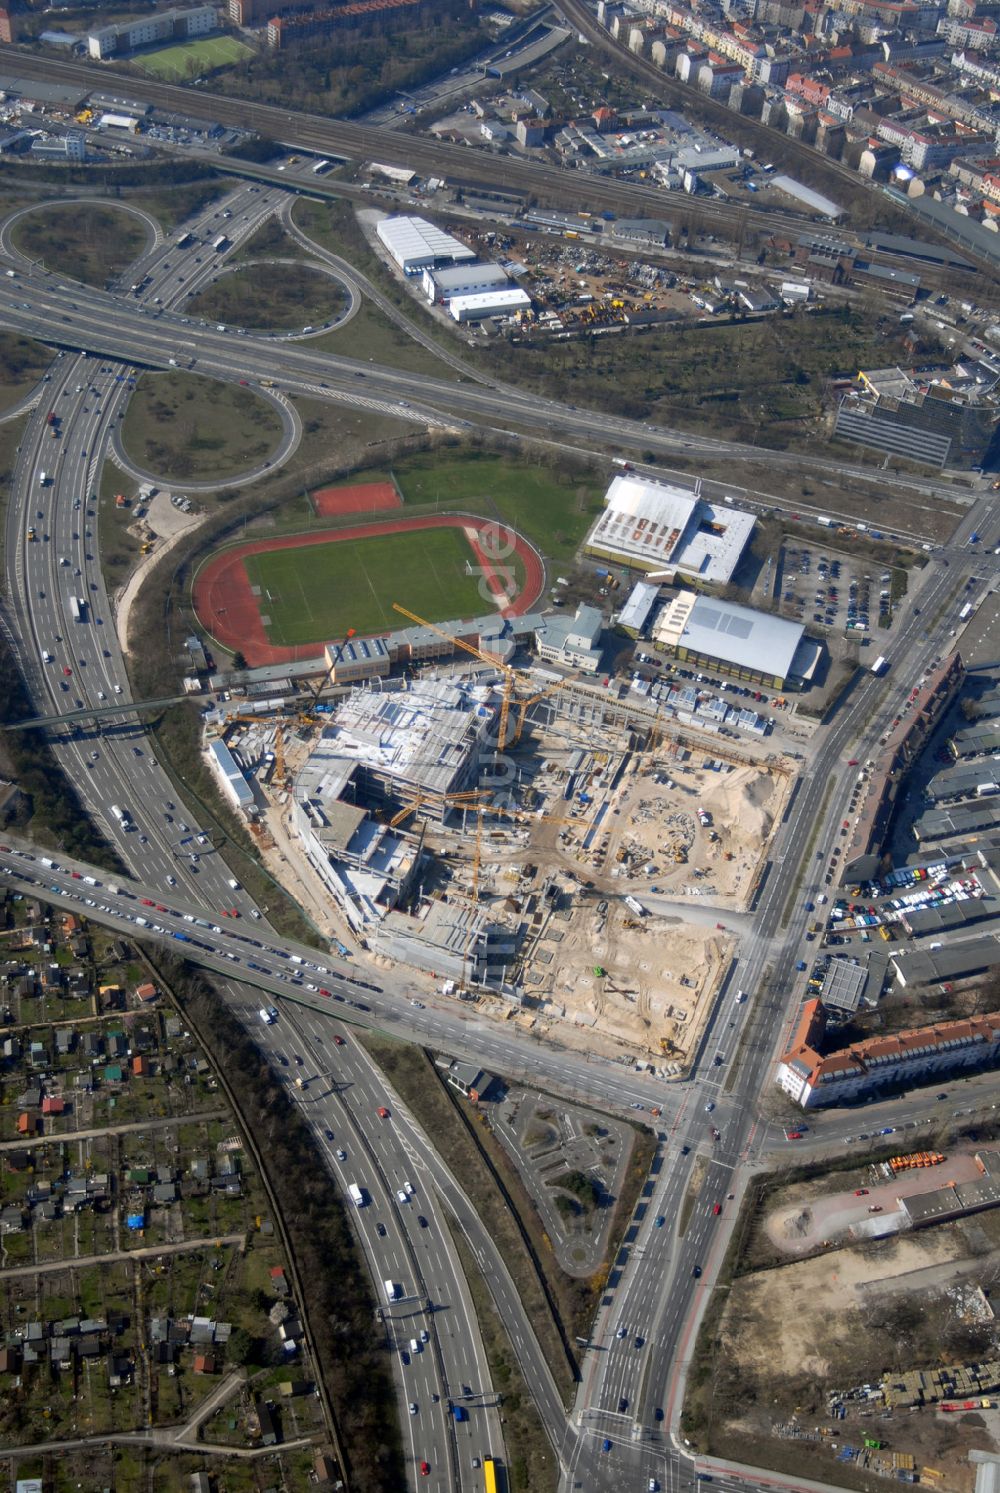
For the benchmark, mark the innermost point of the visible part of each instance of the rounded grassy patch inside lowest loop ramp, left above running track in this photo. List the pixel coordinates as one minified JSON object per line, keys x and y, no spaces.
{"x":189,"y":428}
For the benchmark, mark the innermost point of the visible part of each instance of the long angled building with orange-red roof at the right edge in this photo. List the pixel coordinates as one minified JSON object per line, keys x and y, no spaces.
{"x":880,"y":1064}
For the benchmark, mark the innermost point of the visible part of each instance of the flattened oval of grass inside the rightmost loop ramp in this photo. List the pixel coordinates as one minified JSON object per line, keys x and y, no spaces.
{"x":283,"y":298}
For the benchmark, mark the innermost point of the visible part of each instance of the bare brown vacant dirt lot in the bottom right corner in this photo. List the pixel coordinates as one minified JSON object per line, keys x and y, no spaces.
{"x":793,"y":1337}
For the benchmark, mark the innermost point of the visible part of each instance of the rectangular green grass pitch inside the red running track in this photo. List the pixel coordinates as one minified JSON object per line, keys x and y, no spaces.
{"x":316,"y":593}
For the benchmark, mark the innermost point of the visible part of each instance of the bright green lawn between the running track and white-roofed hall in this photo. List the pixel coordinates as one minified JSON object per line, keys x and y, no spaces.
{"x":550,"y":508}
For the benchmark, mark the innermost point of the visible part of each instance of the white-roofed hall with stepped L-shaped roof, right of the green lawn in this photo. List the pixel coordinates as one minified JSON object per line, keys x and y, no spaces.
{"x":665,"y":529}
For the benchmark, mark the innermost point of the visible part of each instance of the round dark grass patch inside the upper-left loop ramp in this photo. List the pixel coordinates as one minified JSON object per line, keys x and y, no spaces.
{"x":87,"y":241}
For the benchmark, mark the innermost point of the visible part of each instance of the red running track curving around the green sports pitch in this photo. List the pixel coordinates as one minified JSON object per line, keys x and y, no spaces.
{"x":229,"y":611}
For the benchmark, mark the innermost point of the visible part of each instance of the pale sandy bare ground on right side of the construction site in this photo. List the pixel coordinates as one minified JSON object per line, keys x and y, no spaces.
{"x":604,"y":973}
